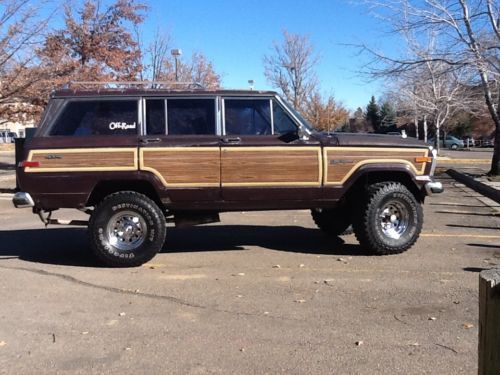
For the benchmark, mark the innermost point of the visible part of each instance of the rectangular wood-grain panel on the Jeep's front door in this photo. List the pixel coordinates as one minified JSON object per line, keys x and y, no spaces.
{"x":268,"y":166}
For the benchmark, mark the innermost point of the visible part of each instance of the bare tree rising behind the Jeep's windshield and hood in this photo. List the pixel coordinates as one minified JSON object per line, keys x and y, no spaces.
{"x":290,"y":67}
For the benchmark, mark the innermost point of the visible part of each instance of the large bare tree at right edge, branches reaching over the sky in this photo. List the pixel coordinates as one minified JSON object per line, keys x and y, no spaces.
{"x":467,"y":39}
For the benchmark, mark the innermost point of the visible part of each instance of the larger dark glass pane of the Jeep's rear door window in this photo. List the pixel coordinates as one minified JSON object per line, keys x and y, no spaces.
{"x":191,"y":116}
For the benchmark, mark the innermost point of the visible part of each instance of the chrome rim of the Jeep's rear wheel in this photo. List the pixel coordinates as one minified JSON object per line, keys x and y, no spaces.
{"x":126,"y":230}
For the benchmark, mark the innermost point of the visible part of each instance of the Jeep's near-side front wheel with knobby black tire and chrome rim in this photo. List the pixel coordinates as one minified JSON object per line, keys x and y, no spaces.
{"x":389,"y":220}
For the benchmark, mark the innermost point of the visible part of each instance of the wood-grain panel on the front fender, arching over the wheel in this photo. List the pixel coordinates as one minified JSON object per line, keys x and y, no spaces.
{"x":341,"y":163}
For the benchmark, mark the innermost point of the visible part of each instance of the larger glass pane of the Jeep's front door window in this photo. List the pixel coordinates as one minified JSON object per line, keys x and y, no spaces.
{"x":247,"y":116}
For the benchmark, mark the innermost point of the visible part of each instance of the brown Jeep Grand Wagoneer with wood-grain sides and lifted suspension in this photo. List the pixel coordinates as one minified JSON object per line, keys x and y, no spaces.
{"x":136,"y":158}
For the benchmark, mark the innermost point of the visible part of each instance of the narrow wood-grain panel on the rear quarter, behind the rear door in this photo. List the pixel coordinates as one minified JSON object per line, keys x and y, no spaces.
{"x":73,"y":160}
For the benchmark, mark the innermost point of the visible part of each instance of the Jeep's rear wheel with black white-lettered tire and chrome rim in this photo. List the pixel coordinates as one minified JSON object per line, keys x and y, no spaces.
{"x":127,"y":229}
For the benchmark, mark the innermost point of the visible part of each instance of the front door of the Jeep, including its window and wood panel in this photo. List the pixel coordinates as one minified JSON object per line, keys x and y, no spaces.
{"x":262,"y":157}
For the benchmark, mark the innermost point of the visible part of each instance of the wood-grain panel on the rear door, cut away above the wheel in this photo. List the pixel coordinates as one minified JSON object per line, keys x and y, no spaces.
{"x":187,"y":166}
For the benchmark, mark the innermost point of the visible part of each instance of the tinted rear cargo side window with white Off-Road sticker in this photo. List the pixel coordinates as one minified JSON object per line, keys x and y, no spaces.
{"x":103,"y":117}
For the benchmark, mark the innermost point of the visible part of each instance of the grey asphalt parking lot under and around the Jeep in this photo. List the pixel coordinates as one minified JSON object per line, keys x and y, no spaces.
{"x":261,"y":292}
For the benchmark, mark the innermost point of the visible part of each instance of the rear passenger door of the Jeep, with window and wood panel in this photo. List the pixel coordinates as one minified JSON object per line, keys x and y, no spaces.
{"x":180,"y":146}
